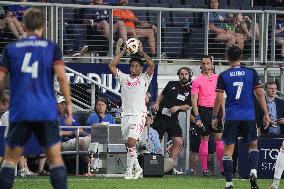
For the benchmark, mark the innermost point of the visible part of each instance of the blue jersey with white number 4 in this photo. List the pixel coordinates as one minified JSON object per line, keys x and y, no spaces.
{"x":30,"y":62}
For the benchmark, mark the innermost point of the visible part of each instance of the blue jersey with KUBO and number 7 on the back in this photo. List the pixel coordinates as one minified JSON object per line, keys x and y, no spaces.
{"x":239,"y":84}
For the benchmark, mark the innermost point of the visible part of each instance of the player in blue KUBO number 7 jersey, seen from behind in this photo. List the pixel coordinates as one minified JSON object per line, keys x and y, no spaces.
{"x":240,"y":83}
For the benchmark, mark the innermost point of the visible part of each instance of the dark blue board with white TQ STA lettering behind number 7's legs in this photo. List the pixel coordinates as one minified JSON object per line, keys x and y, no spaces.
{"x":268,"y":151}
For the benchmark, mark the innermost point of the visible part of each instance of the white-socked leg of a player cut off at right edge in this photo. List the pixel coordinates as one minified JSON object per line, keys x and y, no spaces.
{"x":279,"y":168}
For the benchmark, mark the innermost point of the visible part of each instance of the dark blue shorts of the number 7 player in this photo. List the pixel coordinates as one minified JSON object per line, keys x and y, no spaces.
{"x":235,"y":129}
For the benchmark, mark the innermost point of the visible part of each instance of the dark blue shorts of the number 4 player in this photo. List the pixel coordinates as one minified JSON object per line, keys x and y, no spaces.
{"x":46,"y":132}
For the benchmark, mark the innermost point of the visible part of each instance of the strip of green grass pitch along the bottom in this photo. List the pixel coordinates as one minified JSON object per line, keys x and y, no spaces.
{"x":166,"y":182}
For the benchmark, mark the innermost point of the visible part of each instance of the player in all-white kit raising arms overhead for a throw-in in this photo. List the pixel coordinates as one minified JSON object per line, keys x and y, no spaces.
{"x":134,"y":110}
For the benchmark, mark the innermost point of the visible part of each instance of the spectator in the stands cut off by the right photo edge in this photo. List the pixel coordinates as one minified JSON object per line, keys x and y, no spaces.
{"x":279,"y":33}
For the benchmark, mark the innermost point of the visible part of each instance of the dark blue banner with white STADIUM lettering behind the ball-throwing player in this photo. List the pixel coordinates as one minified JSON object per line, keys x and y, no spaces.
{"x":100,"y":72}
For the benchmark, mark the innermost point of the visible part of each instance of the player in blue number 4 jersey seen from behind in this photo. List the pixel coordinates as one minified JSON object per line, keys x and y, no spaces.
{"x":32,"y":63}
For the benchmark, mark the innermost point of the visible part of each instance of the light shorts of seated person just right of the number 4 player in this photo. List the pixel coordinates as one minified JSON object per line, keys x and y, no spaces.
{"x":70,"y":145}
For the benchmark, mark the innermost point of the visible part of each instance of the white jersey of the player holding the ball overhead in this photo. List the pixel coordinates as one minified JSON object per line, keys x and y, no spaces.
{"x":133,"y":92}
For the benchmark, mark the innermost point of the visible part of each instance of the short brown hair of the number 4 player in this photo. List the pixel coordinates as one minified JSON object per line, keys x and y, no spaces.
{"x":33,"y":19}
